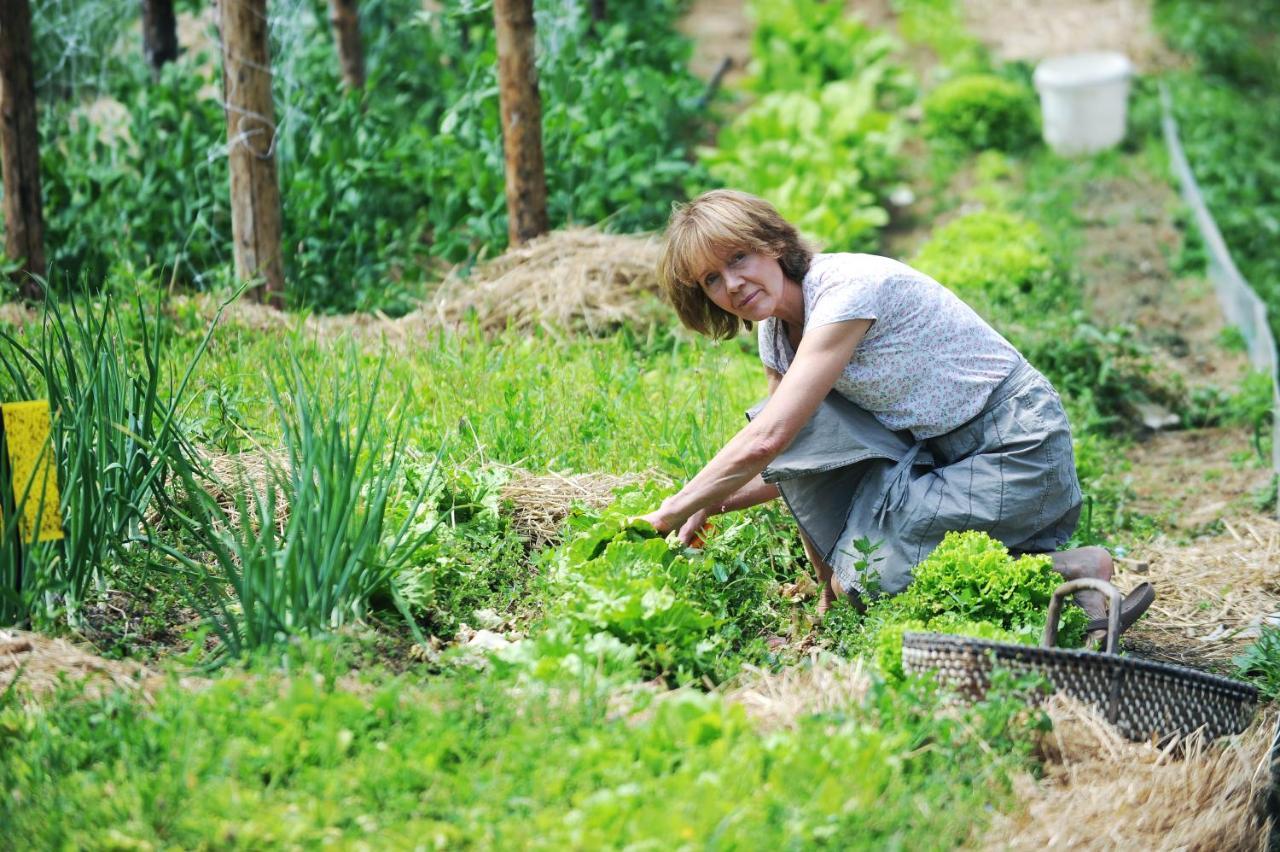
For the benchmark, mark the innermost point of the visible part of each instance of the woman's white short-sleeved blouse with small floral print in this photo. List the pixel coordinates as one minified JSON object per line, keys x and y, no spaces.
{"x":929,"y":361}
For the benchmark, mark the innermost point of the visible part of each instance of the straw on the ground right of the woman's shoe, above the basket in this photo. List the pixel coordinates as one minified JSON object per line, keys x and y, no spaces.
{"x":1214,"y":596}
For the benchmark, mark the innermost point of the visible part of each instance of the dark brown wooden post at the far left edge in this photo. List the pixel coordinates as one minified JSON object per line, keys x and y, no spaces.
{"x":20,"y":140}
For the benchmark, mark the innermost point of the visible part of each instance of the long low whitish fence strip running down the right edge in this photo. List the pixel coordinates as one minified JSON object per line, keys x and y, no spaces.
{"x":1240,"y":301}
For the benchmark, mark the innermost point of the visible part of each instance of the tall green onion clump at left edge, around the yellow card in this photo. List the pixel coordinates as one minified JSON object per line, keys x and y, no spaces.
{"x":117,"y":441}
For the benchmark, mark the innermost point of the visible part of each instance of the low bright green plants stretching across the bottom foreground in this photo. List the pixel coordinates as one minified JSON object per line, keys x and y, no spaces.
{"x":269,"y":762}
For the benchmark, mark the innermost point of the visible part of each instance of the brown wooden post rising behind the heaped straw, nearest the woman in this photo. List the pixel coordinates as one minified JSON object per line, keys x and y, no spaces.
{"x":522,"y":121}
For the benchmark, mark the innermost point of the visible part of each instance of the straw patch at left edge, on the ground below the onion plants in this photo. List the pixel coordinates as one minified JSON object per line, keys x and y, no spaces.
{"x":44,"y":665}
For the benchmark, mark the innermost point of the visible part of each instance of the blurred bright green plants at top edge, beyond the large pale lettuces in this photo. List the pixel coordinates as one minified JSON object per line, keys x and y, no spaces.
{"x":803,"y":45}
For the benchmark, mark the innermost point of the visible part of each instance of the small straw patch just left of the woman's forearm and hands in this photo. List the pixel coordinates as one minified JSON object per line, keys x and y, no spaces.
{"x":541,"y":502}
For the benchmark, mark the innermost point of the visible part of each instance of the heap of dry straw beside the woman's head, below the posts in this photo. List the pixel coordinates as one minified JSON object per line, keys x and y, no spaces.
{"x":579,"y":280}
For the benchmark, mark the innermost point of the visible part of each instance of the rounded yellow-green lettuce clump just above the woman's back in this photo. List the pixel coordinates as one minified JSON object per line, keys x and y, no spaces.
{"x":994,"y":260}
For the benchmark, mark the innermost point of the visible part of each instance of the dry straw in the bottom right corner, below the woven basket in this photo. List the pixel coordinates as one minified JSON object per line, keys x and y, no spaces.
{"x":1104,"y":793}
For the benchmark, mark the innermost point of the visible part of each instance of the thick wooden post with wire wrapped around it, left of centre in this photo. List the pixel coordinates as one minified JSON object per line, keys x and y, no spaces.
{"x":252,"y":145}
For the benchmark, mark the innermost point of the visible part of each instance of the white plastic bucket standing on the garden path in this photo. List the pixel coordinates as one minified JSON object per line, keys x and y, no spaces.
{"x":1084,"y":102}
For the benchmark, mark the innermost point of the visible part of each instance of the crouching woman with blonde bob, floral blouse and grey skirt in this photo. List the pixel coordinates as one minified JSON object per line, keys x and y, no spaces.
{"x":895,"y":413}
